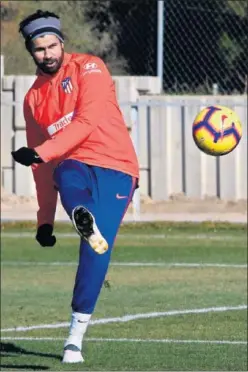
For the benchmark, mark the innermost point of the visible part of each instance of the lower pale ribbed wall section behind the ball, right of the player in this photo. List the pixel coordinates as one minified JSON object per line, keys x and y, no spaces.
{"x":169,"y":159}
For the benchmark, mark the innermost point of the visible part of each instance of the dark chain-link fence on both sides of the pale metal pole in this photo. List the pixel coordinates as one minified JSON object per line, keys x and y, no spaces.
{"x":204,"y":43}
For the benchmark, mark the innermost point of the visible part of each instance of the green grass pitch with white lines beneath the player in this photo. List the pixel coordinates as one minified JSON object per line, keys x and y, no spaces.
{"x":182,"y":288}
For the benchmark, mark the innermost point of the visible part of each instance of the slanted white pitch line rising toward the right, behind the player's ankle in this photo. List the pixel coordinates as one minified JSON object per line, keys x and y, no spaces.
{"x":130,"y":317}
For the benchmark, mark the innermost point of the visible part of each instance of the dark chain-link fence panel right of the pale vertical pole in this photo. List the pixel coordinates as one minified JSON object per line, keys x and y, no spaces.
{"x":205,"y":46}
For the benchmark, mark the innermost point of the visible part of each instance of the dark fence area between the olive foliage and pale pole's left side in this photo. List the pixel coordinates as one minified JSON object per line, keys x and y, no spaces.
{"x":134,"y":25}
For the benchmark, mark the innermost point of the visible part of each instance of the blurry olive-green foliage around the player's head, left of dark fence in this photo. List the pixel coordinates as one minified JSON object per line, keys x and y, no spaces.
{"x":79,"y":29}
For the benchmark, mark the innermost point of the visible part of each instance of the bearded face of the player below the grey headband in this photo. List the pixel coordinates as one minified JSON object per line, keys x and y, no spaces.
{"x":48,"y":53}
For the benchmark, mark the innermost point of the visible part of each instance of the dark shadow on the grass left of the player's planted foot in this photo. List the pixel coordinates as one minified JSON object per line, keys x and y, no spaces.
{"x":9,"y":349}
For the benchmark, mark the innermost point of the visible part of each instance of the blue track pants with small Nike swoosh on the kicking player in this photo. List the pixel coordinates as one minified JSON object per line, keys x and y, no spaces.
{"x":106,"y":194}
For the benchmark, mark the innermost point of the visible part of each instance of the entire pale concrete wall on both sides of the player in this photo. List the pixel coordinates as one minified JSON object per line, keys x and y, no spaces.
{"x":160,"y":127}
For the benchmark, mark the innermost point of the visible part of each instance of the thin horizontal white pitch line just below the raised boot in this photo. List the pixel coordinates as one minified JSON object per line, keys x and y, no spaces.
{"x":131,"y":264}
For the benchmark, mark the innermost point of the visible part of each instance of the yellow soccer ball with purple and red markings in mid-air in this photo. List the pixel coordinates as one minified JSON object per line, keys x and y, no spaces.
{"x":217,"y":130}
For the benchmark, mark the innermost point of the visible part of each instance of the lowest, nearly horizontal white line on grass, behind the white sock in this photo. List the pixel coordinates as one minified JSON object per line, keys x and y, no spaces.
{"x":167,"y":341}
